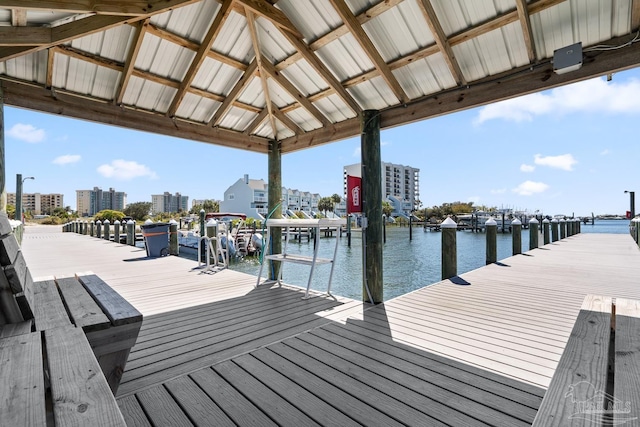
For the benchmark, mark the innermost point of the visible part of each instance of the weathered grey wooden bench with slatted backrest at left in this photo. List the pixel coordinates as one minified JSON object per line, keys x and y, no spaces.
{"x":64,"y":343}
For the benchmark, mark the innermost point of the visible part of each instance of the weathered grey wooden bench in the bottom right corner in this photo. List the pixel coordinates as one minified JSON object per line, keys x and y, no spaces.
{"x":597,"y":381}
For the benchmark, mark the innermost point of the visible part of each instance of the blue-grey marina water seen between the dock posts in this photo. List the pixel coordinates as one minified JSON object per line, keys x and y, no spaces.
{"x":407,"y":265}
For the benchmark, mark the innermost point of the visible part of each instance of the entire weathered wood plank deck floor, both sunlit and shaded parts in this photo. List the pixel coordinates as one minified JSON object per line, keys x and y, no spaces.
{"x":479,"y":350}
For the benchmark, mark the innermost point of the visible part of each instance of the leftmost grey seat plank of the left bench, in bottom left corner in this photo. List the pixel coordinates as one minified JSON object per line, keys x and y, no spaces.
{"x":22,"y":381}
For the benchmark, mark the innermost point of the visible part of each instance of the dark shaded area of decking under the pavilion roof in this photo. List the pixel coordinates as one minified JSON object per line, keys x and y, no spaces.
{"x":270,"y":358}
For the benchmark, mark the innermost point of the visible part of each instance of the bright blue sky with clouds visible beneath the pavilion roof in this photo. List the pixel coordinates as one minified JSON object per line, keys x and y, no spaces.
{"x":569,"y":150}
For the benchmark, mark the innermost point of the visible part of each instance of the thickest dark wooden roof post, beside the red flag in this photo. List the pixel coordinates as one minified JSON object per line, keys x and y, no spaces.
{"x":372,"y":204}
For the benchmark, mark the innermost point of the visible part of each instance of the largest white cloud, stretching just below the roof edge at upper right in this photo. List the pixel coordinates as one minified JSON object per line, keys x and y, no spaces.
{"x":595,"y":95}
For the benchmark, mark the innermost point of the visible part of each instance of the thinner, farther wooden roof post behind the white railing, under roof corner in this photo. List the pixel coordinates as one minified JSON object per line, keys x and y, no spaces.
{"x":274,"y":201}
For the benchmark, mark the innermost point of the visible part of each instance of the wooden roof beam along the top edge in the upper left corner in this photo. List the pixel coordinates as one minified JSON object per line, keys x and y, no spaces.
{"x":104,"y":7}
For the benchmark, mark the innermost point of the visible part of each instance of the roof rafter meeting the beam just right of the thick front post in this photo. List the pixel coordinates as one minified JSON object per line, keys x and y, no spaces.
{"x":367,"y":45}
